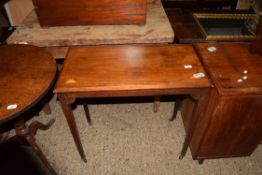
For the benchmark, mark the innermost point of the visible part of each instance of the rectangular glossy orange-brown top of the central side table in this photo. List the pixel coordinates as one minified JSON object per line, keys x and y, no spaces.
{"x":112,"y":68}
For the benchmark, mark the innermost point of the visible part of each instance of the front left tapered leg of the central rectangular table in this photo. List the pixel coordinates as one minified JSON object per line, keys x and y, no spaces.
{"x":73,"y":128}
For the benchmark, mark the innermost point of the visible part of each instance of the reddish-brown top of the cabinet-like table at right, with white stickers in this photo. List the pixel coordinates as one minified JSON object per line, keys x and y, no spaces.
{"x":232,"y":67}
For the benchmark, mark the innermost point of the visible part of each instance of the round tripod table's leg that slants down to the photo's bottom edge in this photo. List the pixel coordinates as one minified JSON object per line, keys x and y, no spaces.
{"x":23,"y":132}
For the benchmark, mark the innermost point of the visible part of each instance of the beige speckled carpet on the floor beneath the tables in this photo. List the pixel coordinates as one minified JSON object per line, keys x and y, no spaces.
{"x":128,"y":139}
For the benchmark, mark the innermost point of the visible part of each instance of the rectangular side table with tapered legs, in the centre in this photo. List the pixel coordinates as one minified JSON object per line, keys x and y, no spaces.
{"x":129,"y":70}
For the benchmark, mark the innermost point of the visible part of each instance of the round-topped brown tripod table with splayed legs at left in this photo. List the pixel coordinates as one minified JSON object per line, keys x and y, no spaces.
{"x":27,"y":75}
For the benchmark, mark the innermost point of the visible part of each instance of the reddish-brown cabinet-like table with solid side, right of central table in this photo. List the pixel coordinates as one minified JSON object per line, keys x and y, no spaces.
{"x":231,"y":124}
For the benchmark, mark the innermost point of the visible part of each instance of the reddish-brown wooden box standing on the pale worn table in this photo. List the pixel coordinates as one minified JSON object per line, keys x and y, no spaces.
{"x":87,"y":12}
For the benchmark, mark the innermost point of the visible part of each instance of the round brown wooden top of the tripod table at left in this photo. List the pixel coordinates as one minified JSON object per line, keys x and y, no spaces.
{"x":26,"y":74}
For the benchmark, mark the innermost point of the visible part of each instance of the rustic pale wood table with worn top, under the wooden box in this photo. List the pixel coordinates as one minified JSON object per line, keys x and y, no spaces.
{"x":57,"y":39}
